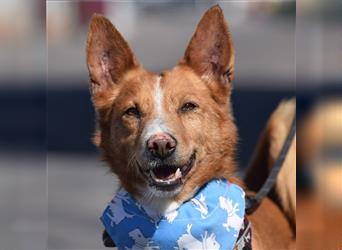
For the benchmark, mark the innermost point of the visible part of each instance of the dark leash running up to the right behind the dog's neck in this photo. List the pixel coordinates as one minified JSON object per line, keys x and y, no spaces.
{"x":253,"y":202}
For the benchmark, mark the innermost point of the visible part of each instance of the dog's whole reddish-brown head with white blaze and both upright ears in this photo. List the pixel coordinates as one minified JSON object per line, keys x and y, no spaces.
{"x":164,"y":134}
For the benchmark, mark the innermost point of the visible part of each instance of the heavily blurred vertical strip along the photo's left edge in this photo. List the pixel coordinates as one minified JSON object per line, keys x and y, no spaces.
{"x":23,"y":182}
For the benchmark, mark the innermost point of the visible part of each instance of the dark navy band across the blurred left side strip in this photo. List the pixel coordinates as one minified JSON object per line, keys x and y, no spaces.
{"x":23,"y":118}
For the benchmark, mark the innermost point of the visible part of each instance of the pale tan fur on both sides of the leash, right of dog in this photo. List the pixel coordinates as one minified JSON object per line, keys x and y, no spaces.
{"x":269,"y":146}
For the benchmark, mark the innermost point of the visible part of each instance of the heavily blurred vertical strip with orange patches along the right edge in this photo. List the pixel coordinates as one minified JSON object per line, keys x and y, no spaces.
{"x":319,"y":126}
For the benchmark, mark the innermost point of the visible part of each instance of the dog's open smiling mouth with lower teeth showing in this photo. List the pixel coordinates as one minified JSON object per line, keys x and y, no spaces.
{"x":168,"y":177}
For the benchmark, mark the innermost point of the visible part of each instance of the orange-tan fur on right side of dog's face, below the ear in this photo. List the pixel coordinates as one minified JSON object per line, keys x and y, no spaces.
{"x":210,"y":129}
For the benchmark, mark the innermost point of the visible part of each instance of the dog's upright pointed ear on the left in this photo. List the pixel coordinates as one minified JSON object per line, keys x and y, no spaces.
{"x":108,"y":55}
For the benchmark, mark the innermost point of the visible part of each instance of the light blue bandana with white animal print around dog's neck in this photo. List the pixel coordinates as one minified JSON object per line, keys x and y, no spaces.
{"x":210,"y":220}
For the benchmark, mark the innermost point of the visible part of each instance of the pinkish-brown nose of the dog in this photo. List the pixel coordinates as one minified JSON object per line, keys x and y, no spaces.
{"x":161,"y":145}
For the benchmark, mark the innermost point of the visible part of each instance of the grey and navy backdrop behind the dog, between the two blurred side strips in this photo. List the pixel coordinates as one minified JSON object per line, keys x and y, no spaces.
{"x":158,"y":33}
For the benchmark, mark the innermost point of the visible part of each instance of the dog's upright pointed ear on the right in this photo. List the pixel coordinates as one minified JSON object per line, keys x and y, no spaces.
{"x":210,"y":52}
